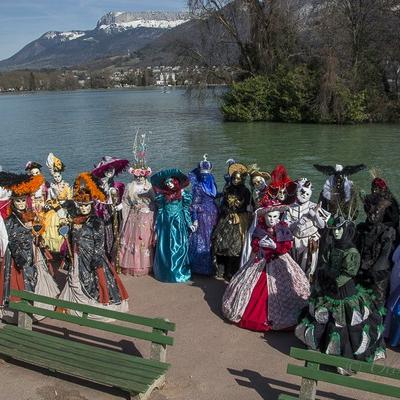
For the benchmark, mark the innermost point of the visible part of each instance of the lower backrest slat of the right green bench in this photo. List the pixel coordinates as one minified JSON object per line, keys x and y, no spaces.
{"x":347,"y":381}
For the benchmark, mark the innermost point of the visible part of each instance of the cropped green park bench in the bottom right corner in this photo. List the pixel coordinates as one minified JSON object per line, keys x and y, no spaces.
{"x":311,"y":374}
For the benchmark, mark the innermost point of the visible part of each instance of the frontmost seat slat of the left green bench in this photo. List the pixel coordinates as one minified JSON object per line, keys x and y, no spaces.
{"x":74,"y":370}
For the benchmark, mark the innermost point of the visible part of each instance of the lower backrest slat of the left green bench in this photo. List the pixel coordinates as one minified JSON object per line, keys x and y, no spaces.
{"x":121,"y":330}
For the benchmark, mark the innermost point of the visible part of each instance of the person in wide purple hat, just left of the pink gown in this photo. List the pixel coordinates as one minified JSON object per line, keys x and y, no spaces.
{"x":110,"y":209}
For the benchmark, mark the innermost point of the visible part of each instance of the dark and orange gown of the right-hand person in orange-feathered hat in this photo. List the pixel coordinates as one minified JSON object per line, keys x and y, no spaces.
{"x":91,"y":279}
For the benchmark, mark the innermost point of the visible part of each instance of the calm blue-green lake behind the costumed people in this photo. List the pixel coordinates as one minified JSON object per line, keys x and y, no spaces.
{"x":82,"y":126}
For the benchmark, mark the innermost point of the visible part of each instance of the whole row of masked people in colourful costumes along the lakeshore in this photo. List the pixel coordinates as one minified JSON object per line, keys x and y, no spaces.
{"x":289,"y":263}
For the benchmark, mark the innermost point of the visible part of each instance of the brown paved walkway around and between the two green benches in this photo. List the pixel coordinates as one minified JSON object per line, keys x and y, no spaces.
{"x":211,"y":359}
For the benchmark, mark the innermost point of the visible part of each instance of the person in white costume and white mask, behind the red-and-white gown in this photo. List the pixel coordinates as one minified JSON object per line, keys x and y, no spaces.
{"x":305,"y":219}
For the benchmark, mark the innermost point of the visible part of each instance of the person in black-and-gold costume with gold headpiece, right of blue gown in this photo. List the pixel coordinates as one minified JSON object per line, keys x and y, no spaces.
{"x":229,"y":234}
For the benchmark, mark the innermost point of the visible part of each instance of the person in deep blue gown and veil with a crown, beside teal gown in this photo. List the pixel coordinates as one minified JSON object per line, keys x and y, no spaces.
{"x":204,"y":213}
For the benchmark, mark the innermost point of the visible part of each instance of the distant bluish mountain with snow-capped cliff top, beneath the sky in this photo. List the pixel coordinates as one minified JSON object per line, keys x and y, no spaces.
{"x":116,"y":34}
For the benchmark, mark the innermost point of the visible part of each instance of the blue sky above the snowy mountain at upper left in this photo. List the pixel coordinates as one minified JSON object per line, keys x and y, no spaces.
{"x":22,"y":21}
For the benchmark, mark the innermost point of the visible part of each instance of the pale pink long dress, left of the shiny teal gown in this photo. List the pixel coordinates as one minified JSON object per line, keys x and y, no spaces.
{"x":137,"y":234}
